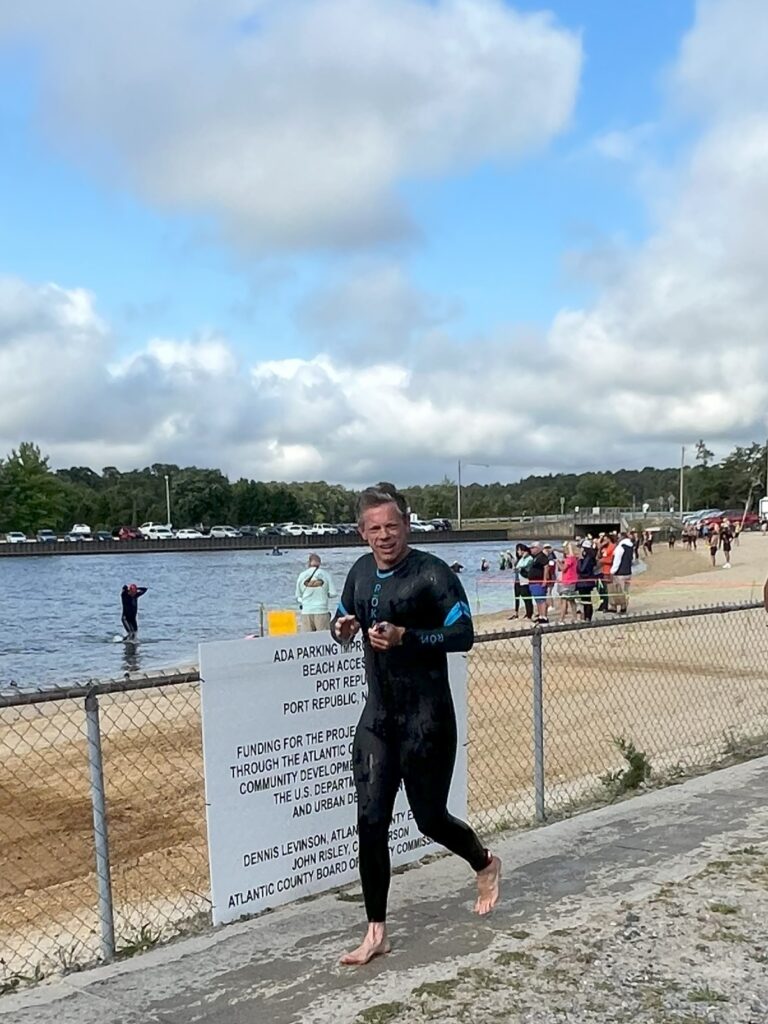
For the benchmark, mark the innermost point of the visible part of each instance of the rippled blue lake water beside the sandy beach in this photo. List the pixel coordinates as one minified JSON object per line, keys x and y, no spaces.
{"x":60,"y":615}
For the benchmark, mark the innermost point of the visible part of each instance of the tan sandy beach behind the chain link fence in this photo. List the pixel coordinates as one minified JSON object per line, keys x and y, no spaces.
{"x":684,"y":691}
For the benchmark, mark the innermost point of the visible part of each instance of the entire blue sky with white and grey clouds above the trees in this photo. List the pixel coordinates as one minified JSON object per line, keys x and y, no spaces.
{"x":363,"y":239}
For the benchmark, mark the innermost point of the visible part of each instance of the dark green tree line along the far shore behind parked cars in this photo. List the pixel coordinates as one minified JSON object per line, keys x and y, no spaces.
{"x":35,"y":497}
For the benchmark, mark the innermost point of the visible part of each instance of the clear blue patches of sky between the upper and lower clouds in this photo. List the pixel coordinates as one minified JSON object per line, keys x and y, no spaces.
{"x":493,"y":238}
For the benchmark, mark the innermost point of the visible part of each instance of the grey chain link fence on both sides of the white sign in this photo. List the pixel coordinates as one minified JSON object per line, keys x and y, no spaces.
{"x":103,"y":829}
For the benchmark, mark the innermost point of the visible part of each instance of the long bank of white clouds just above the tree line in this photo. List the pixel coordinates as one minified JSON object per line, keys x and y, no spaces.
{"x":673,"y":350}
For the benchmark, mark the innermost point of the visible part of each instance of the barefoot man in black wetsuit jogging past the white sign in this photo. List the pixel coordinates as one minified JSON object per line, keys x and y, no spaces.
{"x":412,"y":611}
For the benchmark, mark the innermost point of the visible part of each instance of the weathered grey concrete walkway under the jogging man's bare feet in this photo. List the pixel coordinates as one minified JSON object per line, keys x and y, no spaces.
{"x":282,"y":968}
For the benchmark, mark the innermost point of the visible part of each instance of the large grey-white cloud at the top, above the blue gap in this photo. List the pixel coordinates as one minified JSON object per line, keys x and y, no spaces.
{"x":291,"y":122}
